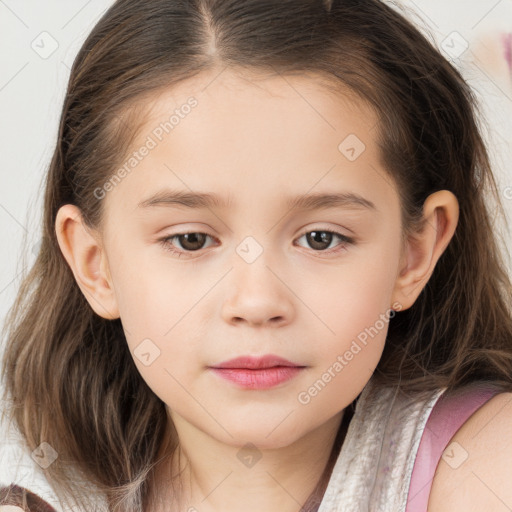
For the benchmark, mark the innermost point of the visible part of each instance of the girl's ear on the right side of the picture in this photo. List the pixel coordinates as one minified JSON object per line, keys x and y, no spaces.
{"x":424,"y":248}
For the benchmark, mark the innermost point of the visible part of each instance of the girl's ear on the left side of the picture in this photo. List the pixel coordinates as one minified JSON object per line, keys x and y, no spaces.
{"x":85,"y":255}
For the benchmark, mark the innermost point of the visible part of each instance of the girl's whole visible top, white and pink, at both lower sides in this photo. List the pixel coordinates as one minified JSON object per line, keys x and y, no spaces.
{"x":386,"y":464}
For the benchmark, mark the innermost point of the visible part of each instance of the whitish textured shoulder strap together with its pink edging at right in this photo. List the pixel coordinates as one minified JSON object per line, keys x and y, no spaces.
{"x":381,"y":453}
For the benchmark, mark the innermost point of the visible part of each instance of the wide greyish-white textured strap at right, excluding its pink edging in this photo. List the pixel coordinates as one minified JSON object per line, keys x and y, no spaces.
{"x":374,"y":466}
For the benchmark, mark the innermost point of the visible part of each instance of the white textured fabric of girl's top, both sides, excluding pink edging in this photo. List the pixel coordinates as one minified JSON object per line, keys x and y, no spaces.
{"x":372,"y":471}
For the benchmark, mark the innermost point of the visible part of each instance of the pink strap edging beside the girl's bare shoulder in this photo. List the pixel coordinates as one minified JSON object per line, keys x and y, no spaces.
{"x":448,"y":414}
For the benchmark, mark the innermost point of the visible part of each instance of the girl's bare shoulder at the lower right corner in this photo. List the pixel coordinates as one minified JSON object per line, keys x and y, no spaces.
{"x":475,"y":470}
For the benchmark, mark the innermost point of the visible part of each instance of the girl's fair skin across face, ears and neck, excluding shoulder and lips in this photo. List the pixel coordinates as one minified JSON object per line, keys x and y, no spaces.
{"x":257,"y":139}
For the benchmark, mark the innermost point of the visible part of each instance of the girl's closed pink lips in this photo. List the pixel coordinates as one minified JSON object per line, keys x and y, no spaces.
{"x":263,"y":372}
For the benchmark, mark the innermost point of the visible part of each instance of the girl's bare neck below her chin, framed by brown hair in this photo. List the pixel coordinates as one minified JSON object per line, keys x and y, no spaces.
{"x":201,"y":474}
